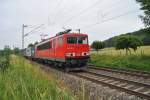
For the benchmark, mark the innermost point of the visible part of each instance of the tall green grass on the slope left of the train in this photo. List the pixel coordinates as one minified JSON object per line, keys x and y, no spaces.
{"x":23,"y":81}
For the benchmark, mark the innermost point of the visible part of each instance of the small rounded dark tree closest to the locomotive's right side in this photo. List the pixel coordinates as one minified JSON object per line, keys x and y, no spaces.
{"x":98,"y":45}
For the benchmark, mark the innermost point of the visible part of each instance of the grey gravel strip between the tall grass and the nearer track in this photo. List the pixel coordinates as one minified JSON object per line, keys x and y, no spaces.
{"x":87,"y":90}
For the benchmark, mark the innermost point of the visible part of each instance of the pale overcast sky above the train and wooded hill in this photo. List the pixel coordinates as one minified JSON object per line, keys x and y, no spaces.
{"x":100,"y":19}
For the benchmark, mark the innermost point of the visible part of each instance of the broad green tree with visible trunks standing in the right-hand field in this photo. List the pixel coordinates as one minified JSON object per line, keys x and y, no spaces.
{"x":127,"y":42}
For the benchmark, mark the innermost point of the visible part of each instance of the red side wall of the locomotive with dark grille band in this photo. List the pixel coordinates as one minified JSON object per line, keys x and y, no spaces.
{"x":54,"y":49}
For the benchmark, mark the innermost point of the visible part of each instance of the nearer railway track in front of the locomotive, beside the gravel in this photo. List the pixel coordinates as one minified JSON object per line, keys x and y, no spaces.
{"x":132,"y":87}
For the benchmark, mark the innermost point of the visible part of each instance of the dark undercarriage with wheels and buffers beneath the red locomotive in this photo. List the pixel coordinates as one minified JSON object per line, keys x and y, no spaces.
{"x":70,"y":64}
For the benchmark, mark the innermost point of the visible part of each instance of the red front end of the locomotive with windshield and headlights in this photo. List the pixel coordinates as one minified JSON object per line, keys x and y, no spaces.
{"x":77,"y":49}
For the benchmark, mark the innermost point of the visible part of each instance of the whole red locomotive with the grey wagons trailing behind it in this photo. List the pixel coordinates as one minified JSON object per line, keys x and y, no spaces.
{"x":67,"y":50}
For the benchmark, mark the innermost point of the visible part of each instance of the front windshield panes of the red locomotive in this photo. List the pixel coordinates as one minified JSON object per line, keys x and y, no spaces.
{"x":77,"y":40}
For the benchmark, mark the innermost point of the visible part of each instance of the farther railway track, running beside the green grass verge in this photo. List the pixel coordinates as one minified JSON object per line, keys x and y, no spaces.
{"x":143,"y":74}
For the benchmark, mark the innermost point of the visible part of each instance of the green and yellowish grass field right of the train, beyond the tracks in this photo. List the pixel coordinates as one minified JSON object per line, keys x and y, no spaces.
{"x":109,"y":57}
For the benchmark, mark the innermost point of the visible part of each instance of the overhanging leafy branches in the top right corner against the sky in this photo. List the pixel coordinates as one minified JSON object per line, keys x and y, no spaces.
{"x":145,"y":6}
